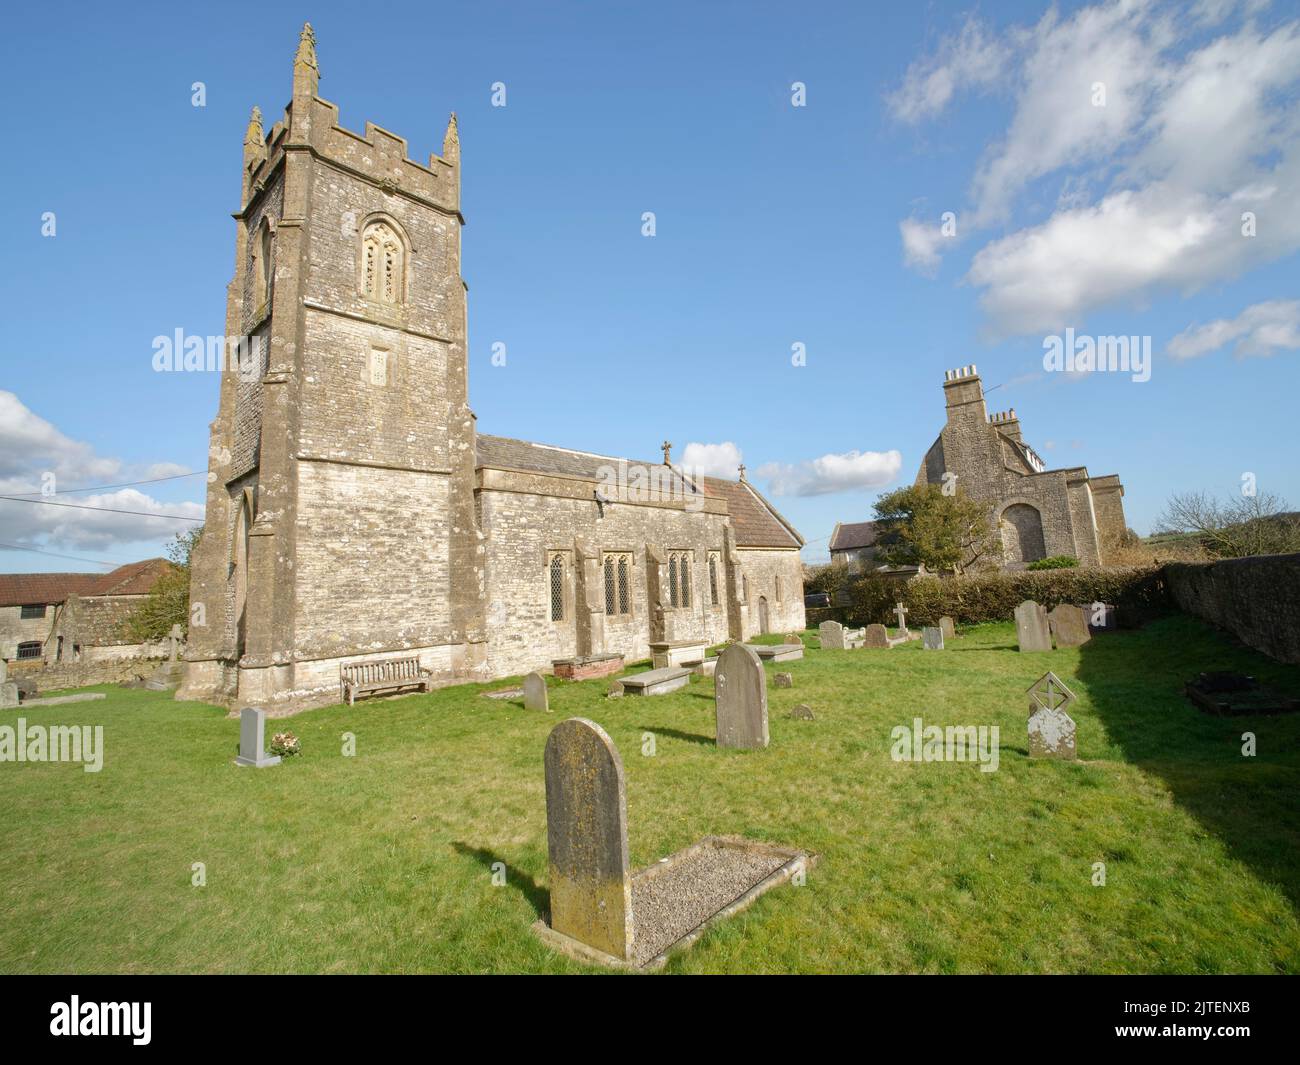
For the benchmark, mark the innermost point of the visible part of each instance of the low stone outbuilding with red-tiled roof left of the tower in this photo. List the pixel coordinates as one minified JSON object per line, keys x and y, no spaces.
{"x":68,"y":618}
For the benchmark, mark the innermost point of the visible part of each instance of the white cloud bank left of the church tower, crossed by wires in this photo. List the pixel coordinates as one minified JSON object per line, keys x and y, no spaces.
{"x":32,"y":448}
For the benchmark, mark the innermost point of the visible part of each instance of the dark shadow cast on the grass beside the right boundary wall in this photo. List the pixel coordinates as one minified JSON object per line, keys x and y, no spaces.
{"x":1251,"y":804}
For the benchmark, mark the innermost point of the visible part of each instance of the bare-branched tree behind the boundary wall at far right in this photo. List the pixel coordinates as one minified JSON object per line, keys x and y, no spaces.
{"x":1240,"y":527}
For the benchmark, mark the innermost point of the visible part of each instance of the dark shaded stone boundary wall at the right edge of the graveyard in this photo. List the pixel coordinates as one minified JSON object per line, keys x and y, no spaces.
{"x":1256,"y":599}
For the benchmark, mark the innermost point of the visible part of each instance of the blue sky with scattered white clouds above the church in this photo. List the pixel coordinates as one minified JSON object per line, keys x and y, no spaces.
{"x":775,"y":226}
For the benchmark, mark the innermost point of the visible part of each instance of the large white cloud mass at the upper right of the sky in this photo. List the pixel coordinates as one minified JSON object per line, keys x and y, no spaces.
{"x":1193,"y":135}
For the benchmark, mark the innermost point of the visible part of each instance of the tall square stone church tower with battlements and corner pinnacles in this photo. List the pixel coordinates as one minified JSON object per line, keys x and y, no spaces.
{"x":341,"y":490}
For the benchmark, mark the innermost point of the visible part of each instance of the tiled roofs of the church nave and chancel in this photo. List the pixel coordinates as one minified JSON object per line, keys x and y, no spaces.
{"x":755,"y":521}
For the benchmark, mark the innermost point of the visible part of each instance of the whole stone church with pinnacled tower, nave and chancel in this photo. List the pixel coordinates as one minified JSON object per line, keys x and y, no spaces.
{"x":354,"y":512}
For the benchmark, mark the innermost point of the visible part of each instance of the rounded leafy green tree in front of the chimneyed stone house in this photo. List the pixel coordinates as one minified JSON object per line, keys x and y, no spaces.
{"x":922,"y":526}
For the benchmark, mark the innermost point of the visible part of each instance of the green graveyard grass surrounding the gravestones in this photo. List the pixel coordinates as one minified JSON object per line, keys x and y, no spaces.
{"x":383,"y":863}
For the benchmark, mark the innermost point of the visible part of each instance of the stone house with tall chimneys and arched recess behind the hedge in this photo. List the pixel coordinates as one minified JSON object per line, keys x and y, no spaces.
{"x":1038,"y":513}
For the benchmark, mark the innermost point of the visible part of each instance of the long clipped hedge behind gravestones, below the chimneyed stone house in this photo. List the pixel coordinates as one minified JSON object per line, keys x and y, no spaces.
{"x":994,"y":598}
